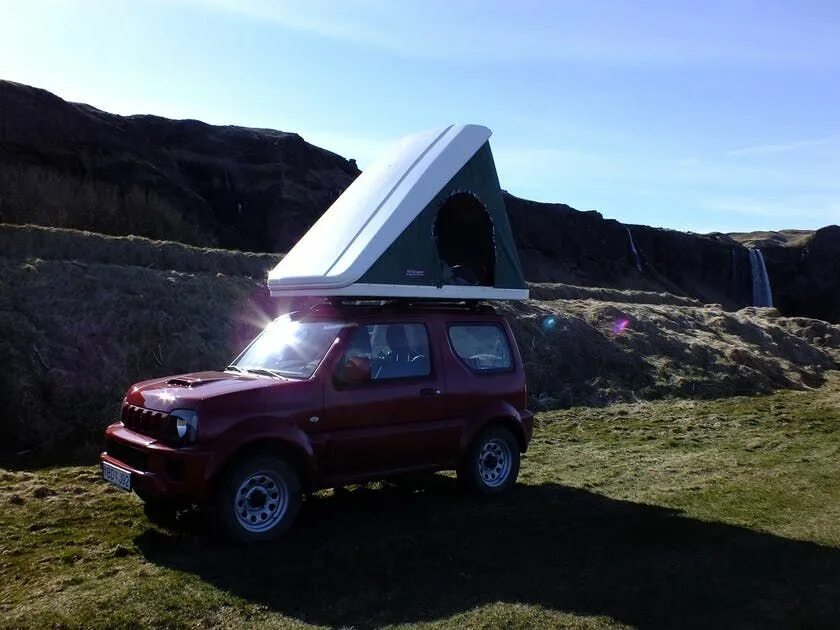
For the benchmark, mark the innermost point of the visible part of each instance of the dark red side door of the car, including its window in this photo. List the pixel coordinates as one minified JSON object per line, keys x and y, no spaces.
{"x":384,"y":407}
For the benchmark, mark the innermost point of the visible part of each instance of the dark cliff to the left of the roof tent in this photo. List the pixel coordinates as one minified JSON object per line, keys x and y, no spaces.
{"x":69,"y":165}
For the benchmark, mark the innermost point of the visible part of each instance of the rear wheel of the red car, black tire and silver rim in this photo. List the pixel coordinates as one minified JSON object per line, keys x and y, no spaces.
{"x":491,"y":463}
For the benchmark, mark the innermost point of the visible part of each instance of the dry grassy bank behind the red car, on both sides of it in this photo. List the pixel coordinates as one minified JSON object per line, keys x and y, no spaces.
{"x":82,"y":316}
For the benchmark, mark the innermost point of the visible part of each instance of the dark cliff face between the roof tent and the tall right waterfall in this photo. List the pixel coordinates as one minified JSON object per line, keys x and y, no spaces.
{"x":560,"y":244}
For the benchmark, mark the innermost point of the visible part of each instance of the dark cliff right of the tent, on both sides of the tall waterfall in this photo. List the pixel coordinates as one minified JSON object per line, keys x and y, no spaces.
{"x":560,"y":244}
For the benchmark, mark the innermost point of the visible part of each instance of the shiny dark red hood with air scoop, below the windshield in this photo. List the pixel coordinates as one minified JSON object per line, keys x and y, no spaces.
{"x":186,"y":391}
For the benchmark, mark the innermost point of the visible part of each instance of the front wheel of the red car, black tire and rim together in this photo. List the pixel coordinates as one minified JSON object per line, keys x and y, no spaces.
{"x":258,"y":499}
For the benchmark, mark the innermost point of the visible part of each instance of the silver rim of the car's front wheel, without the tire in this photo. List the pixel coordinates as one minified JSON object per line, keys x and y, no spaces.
{"x":261,"y":501}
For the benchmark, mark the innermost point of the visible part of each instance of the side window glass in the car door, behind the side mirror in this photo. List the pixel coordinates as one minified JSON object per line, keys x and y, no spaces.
{"x":381,"y":352}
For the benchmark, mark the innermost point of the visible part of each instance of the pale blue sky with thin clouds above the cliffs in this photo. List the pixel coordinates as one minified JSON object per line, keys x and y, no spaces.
{"x":708,"y":116}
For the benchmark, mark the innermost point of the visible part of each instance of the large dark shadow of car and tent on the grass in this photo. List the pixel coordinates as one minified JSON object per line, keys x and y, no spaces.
{"x":409,"y":553}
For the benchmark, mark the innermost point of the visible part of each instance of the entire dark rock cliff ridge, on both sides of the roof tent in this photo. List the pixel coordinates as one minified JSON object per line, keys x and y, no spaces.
{"x":70,"y":165}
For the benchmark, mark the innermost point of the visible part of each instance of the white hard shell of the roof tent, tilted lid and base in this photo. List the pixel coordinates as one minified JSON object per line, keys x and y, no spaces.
{"x":337,"y":251}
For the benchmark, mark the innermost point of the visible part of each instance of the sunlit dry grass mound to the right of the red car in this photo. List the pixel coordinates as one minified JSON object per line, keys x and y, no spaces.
{"x":589,"y":352}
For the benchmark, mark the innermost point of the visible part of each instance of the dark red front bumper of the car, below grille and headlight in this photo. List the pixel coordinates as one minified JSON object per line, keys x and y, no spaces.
{"x":158,"y":470}
